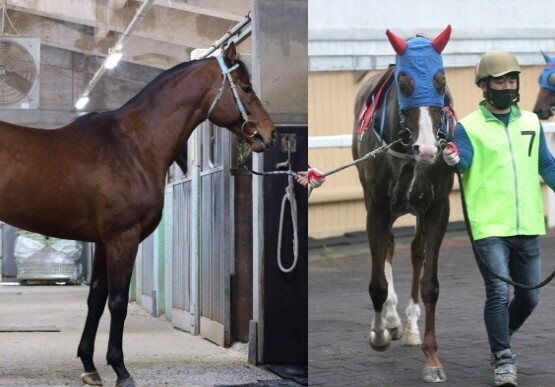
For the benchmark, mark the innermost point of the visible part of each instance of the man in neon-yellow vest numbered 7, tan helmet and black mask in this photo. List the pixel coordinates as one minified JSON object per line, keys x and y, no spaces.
{"x":500,"y":150}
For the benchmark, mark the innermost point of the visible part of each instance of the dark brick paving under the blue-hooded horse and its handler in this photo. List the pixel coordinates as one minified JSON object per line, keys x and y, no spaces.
{"x":340,"y":313}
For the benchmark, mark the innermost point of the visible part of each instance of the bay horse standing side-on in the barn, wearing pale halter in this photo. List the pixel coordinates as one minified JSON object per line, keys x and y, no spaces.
{"x":101,"y":178}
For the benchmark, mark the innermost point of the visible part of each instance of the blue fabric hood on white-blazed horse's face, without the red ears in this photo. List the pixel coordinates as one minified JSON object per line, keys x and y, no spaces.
{"x":421,"y":62}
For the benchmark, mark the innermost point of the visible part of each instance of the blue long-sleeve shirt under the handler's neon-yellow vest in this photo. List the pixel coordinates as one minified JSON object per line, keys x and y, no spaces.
{"x":546,"y":161}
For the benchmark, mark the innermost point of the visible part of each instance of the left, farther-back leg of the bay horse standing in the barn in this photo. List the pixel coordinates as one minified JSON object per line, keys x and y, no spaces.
{"x":98,"y":293}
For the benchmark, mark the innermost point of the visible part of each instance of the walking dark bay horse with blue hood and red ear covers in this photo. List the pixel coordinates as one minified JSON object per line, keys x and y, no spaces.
{"x":408,"y":107}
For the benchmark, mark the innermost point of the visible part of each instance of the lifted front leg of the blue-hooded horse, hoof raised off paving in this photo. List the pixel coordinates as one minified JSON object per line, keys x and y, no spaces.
{"x":378,"y":224}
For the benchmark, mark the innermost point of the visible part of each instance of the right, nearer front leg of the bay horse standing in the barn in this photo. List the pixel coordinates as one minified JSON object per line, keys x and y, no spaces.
{"x":120,"y":253}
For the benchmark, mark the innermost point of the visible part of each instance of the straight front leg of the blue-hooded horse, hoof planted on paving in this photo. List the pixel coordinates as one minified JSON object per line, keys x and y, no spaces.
{"x":436,"y":224}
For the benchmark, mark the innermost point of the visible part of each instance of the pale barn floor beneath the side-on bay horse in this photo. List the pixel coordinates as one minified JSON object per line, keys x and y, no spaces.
{"x":156,"y":354}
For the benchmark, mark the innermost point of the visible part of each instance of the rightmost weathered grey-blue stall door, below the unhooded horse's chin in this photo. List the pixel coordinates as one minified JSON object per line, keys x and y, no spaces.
{"x":216,"y":247}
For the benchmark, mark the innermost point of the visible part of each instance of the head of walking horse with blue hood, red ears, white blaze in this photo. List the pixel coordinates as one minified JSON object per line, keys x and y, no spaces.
{"x":421,"y":92}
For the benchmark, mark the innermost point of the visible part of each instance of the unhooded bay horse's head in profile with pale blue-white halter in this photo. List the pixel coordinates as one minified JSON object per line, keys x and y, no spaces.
{"x":237,"y":107}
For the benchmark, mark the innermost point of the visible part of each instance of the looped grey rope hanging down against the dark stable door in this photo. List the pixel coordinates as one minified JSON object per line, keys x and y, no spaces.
{"x":289,"y":196}
